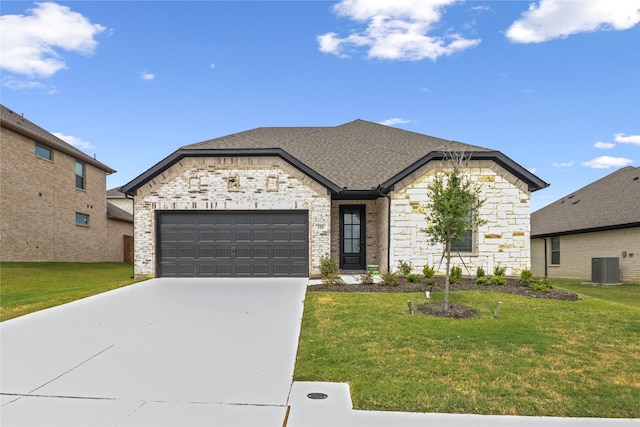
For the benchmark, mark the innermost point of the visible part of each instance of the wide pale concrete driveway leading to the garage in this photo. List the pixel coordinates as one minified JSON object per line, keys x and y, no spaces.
{"x":162,"y":352}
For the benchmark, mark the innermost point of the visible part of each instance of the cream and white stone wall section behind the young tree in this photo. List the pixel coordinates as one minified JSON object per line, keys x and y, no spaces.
{"x":503,"y":241}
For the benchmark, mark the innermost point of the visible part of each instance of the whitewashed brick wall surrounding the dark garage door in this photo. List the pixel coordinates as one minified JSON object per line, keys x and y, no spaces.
{"x":230,"y":183}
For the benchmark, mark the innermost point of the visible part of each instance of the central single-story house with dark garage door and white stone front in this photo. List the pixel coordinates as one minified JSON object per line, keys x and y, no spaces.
{"x":274,"y":201}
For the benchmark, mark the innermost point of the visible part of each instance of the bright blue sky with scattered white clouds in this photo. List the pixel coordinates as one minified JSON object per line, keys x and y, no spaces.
{"x":555,"y":85}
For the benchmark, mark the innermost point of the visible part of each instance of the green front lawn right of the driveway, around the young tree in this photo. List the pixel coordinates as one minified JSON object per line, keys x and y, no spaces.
{"x":539,"y":357}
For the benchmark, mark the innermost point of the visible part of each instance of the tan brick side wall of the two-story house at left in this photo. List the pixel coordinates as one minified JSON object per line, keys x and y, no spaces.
{"x":39,"y":201}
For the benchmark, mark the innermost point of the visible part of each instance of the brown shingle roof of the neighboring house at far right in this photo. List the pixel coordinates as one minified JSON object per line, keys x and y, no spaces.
{"x":609,"y":203}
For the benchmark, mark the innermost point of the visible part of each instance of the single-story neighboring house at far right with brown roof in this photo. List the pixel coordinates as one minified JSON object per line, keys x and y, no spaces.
{"x":601,"y":220}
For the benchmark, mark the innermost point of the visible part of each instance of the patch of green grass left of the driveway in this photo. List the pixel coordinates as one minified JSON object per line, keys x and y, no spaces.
{"x":26,"y":287}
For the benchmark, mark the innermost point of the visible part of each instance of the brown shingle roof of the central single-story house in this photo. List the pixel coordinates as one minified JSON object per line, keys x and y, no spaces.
{"x":358,"y":156}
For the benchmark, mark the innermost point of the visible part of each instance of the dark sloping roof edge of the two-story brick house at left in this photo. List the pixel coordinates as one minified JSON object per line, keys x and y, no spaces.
{"x":17,"y":123}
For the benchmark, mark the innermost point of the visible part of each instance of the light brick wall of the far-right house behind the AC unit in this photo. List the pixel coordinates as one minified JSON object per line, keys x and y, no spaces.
{"x":577,"y":250}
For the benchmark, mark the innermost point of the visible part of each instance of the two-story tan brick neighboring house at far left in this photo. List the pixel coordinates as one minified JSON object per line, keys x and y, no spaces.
{"x":53,"y":204}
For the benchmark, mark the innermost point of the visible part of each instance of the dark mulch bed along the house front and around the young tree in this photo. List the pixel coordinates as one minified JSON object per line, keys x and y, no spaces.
{"x":455,"y":311}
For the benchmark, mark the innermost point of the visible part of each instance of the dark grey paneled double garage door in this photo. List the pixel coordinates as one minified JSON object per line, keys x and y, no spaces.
{"x":215,"y":244}
